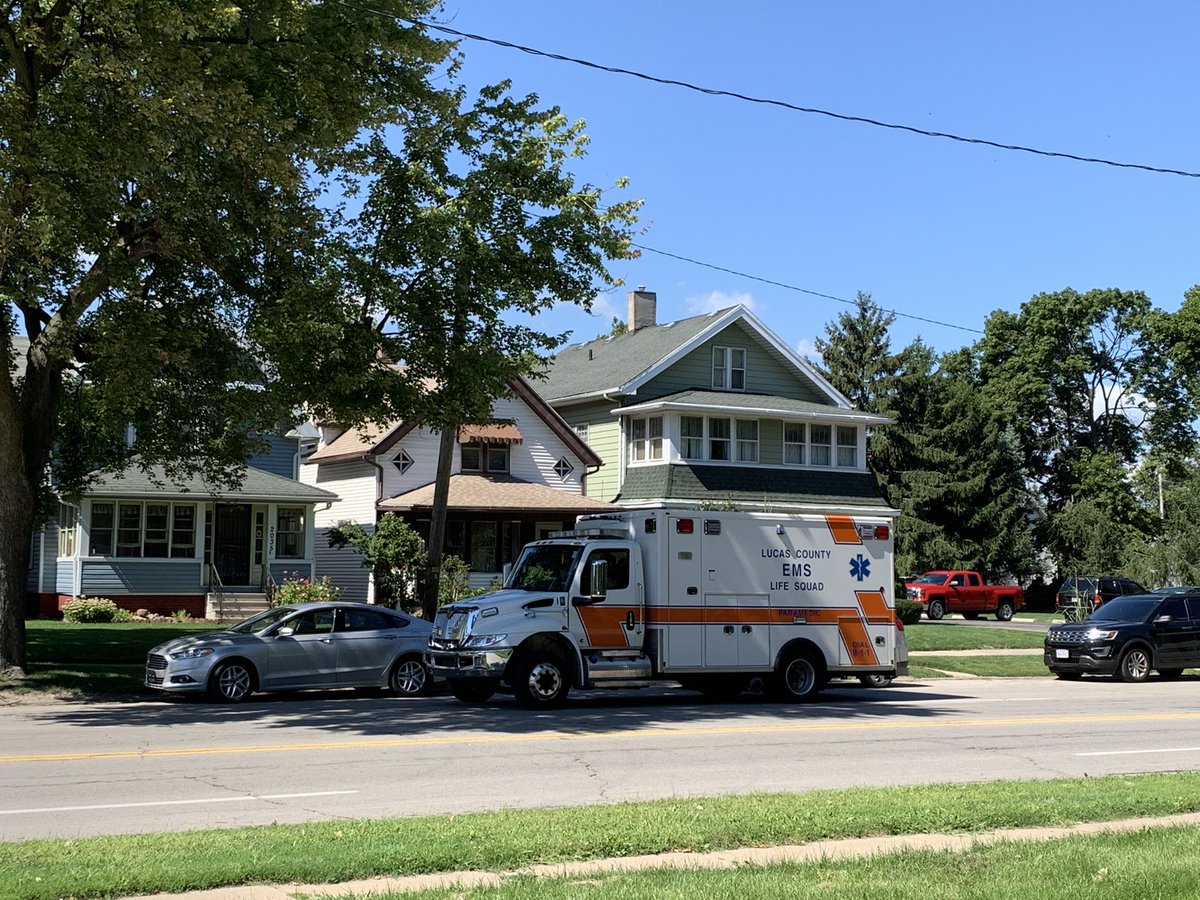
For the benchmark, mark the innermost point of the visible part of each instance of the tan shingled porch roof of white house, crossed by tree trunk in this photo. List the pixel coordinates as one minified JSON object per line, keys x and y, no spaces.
{"x":483,"y":494}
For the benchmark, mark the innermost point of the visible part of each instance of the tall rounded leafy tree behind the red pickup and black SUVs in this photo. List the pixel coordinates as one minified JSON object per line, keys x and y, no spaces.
{"x":1089,"y":382}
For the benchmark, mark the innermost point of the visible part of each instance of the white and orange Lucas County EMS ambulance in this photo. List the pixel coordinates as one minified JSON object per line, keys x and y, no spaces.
{"x":715,"y":601}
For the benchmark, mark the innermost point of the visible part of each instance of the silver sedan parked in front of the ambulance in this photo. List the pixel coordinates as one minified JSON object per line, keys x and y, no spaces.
{"x":327,"y":645}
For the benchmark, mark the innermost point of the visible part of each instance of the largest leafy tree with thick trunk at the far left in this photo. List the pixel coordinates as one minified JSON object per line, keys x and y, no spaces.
{"x":159,"y":229}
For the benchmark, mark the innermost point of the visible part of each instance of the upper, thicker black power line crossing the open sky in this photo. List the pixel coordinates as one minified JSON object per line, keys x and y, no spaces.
{"x":782,"y":104}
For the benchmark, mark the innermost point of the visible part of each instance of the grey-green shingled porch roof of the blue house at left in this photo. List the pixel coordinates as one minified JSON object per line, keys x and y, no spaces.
{"x":257,"y":487}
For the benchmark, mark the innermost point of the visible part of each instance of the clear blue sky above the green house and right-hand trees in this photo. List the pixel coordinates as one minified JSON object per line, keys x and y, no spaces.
{"x":932,"y":229}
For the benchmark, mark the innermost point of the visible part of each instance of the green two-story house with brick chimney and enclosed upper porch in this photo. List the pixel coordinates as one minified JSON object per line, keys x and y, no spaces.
{"x":712,"y":411}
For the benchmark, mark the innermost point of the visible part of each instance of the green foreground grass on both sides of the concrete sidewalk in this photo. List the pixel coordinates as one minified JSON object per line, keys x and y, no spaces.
{"x":343,"y":850}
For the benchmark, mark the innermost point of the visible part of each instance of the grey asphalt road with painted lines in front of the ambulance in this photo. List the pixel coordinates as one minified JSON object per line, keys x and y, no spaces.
{"x":153,"y":766}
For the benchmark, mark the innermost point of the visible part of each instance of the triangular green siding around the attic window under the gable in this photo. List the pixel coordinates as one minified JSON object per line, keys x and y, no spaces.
{"x":765,"y":373}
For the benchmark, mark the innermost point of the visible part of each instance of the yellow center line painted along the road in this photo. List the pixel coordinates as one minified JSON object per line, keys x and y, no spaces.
{"x":465,"y":740}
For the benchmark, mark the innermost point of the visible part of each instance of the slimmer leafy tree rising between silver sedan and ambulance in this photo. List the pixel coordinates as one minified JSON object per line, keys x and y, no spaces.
{"x":472,"y":229}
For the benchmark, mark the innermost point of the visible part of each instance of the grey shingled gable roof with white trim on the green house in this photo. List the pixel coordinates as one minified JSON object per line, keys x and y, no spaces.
{"x":620,"y":365}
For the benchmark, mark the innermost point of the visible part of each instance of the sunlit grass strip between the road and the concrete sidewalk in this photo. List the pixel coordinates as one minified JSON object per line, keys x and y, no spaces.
{"x":338,"y":851}
